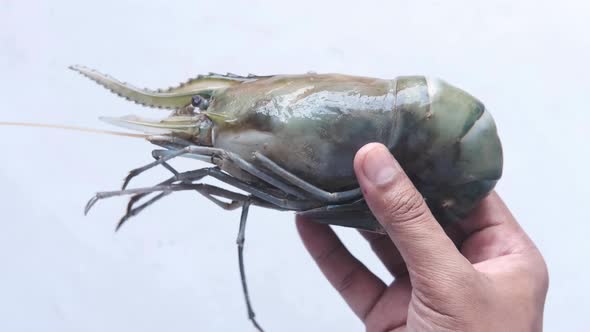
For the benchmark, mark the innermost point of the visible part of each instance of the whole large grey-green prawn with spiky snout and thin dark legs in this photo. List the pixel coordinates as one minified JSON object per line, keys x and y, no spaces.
{"x":287,"y":142}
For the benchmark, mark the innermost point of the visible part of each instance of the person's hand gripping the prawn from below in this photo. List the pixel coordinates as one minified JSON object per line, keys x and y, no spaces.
{"x":496,"y":281}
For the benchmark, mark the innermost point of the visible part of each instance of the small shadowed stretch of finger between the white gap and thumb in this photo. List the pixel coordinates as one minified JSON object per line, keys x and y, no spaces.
{"x":387,"y":252}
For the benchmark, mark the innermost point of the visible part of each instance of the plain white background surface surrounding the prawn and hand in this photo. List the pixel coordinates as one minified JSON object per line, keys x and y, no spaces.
{"x":174,"y":268}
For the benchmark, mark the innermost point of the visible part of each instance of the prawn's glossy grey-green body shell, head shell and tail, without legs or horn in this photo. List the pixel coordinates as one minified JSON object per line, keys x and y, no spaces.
{"x":312,"y":125}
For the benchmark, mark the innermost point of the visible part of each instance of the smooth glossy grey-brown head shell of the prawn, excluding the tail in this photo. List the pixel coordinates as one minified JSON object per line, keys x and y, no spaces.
{"x":312,"y":125}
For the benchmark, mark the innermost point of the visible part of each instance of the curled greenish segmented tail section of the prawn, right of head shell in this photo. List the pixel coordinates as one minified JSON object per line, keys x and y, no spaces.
{"x":448,"y":144}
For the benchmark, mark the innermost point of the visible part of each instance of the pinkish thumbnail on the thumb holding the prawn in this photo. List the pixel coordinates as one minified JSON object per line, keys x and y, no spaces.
{"x":379,"y":166}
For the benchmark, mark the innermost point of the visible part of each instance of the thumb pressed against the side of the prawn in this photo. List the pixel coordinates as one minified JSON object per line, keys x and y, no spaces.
{"x":401,"y":210}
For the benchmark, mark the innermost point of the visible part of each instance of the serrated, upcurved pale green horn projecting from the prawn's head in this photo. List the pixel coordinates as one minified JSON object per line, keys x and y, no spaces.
{"x":172,"y":98}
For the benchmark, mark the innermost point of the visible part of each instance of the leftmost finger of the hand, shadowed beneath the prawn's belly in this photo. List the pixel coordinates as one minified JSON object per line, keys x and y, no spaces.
{"x":359,"y":287}
